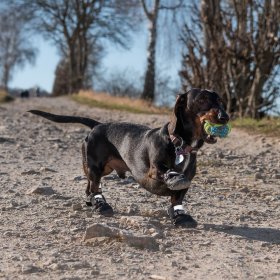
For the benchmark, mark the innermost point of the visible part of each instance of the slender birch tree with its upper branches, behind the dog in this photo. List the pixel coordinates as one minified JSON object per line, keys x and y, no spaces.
{"x":152,"y":13}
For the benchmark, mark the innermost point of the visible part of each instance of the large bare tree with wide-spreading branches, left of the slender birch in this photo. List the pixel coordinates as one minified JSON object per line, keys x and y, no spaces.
{"x":80,"y":28}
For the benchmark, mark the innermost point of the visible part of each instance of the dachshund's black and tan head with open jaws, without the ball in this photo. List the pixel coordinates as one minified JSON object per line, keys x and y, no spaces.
{"x":192,"y":109}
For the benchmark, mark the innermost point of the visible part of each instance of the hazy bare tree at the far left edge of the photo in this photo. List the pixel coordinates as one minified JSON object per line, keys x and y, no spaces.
{"x":15,"y":47}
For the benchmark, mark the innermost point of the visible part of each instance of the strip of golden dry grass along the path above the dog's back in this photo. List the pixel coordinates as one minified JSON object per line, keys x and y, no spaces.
{"x":106,"y":101}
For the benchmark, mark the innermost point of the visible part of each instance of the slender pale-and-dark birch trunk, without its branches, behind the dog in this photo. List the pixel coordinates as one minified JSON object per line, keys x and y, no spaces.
{"x":149,"y":83}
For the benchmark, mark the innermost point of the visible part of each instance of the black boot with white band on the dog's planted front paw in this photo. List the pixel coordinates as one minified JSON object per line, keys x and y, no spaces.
{"x":180,"y":218}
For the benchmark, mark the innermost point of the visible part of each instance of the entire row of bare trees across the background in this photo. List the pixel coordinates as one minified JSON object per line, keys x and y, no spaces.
{"x":230,"y":46}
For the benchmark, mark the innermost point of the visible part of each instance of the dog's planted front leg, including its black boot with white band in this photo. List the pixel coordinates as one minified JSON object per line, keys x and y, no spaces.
{"x":177,"y":213}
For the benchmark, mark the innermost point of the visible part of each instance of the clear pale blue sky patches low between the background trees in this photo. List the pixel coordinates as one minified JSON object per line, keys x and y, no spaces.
{"x":41,"y":74}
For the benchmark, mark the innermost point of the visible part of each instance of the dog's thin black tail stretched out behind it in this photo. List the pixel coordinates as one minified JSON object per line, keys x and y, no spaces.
{"x":65,"y":119}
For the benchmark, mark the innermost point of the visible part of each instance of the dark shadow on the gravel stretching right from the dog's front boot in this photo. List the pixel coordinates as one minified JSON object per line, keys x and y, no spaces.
{"x":269,"y":235}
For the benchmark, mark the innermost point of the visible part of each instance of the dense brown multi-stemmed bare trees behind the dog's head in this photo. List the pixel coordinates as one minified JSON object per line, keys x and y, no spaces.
{"x":233,"y":47}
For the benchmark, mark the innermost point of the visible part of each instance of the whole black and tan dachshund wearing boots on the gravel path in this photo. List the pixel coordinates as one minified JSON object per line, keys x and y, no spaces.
{"x":162,"y":160}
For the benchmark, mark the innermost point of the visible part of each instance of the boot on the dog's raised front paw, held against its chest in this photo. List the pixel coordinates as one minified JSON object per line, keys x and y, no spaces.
{"x":176,"y":181}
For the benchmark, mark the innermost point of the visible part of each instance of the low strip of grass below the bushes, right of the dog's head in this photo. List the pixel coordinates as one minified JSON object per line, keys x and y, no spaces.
{"x":268,"y":126}
